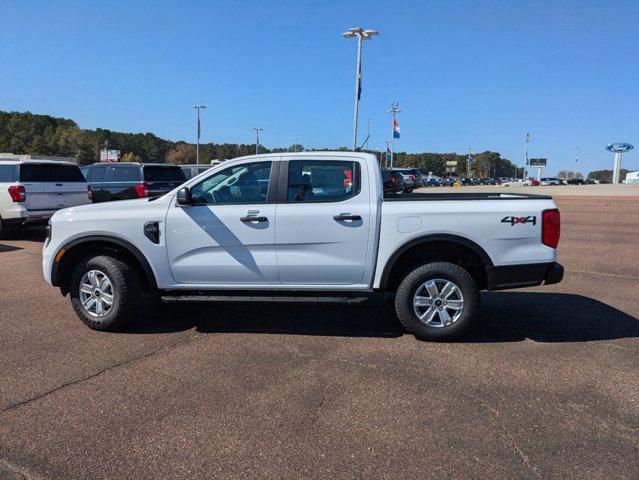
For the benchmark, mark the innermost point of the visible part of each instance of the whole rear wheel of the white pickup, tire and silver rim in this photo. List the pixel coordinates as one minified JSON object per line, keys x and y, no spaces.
{"x":437,"y":301}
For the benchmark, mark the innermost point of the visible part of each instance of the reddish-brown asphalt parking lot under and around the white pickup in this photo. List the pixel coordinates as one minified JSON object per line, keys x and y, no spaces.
{"x":547,"y":387}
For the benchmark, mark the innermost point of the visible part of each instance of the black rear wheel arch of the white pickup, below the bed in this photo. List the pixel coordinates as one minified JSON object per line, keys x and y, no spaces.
{"x":444,"y":247}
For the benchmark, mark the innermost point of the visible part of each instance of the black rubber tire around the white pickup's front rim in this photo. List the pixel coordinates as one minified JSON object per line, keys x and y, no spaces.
{"x":125,"y":288}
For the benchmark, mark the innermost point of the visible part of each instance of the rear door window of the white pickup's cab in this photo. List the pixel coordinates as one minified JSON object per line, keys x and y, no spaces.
{"x":322,"y":181}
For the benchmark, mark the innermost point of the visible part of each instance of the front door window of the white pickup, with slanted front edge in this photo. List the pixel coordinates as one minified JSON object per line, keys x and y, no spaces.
{"x":246,"y":183}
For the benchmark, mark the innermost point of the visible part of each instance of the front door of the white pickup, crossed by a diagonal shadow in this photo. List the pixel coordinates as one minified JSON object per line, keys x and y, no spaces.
{"x":227,"y":235}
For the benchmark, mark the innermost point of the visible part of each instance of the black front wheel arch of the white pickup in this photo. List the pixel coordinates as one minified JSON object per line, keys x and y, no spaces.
{"x":81,"y":247}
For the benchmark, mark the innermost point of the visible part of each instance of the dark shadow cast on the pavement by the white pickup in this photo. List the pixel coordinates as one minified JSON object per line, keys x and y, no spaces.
{"x":506,"y":317}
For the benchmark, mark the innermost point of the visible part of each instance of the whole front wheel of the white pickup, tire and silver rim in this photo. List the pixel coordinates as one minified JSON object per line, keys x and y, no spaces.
{"x":104,"y":292}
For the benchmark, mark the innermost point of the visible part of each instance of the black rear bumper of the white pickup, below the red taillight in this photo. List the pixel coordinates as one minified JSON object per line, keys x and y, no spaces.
{"x":519,"y":276}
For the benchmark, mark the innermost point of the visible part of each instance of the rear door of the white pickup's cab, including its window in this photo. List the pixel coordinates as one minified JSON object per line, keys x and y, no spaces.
{"x":323,"y":222}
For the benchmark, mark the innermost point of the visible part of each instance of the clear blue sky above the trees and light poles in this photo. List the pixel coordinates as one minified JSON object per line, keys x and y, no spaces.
{"x":474,"y":74}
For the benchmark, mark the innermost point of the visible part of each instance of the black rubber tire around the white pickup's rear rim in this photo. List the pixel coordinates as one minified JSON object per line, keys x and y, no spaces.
{"x":437,"y":270}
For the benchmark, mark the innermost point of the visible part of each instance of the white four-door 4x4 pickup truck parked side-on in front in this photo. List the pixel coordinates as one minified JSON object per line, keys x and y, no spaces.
{"x":312,"y":226}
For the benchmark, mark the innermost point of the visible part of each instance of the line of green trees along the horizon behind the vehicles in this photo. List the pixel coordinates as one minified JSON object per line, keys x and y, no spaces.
{"x":27,"y":133}
